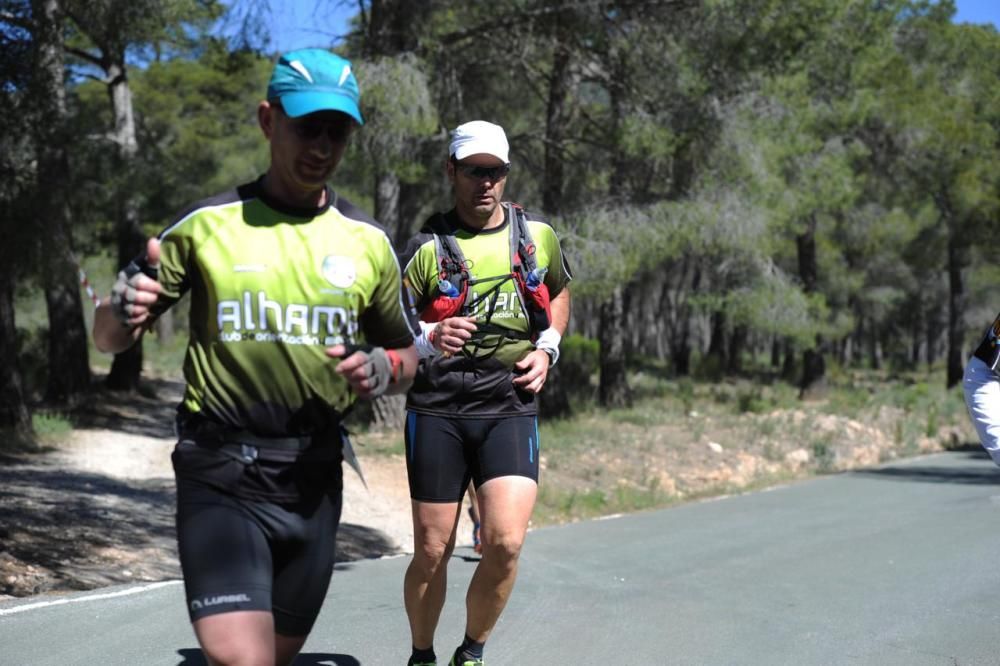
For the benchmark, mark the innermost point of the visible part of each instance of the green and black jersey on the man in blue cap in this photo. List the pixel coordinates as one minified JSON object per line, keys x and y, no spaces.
{"x":271,"y":288}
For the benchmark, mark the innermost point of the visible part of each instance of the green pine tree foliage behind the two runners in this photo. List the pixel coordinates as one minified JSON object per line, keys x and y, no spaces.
{"x":694,"y":144}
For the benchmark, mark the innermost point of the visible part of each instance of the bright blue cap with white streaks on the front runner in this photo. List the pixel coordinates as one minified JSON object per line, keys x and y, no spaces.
{"x":310,"y":80}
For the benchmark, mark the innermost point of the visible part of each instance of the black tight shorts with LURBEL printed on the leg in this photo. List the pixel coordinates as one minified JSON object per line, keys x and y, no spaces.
{"x":246,"y":553}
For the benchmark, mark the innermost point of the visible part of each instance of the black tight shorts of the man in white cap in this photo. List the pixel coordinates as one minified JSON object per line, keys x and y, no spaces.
{"x":443,"y":454}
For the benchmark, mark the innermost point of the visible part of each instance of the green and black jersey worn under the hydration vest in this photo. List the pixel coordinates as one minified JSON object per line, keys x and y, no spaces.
{"x":478,"y":382}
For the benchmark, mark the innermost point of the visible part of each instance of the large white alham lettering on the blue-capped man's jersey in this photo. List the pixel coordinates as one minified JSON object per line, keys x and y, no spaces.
{"x":255,"y":312}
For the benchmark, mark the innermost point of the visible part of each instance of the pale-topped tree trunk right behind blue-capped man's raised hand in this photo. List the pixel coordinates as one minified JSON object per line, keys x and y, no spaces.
{"x":126,"y":368}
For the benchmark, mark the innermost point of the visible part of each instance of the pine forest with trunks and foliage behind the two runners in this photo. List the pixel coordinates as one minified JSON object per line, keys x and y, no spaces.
{"x":771,"y":204}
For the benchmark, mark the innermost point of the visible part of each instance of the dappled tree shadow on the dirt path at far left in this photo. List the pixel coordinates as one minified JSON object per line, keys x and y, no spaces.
{"x":70,"y":530}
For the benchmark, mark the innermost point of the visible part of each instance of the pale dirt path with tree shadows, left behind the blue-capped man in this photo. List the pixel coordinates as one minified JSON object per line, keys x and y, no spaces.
{"x":97,"y":507}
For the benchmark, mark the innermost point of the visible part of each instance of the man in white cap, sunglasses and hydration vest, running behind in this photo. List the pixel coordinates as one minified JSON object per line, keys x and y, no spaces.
{"x":491,"y":285}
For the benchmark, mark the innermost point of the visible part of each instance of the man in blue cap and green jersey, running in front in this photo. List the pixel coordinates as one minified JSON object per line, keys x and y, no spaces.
{"x":296,"y":309}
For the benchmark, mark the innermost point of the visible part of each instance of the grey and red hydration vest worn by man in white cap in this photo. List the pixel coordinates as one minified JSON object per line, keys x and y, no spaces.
{"x":454,"y":279}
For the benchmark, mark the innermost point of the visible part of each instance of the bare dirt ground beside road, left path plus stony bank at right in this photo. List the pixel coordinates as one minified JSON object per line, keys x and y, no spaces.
{"x":97,"y":507}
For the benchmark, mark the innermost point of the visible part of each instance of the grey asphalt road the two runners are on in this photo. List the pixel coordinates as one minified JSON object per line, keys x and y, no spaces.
{"x":894,"y":565}
